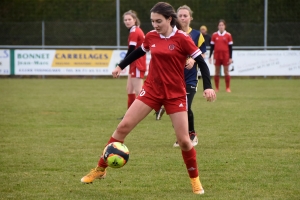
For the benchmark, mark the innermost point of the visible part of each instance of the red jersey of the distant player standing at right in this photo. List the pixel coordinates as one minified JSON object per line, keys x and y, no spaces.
{"x":221,"y":41}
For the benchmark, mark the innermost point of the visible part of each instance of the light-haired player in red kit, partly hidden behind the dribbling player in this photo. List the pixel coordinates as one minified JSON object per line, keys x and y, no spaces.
{"x":138,"y":67}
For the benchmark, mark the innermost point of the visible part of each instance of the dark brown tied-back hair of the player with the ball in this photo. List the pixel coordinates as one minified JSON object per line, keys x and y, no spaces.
{"x":167,"y":11}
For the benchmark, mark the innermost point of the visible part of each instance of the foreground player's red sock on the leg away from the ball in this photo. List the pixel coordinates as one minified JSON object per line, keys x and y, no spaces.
{"x":190,"y":161}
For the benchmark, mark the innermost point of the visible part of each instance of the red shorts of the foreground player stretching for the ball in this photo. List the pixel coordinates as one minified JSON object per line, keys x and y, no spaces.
{"x":171,"y":105}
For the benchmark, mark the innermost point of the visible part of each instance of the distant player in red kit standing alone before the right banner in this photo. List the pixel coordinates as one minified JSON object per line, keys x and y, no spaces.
{"x":221,"y":43}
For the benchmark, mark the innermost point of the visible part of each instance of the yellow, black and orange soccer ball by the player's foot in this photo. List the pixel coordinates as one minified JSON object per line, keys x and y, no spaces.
{"x":116,"y":154}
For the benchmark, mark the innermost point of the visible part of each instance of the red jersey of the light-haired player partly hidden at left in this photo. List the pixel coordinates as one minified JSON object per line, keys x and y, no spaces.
{"x":136,"y":38}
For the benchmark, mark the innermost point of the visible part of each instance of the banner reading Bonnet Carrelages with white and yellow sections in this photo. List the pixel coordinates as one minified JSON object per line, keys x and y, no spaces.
{"x":66,"y":62}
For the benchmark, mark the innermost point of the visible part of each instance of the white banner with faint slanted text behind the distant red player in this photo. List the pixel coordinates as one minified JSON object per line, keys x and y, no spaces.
{"x":263,"y":63}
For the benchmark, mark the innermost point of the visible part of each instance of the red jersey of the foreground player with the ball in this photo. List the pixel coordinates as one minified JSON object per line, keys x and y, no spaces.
{"x":168,"y":58}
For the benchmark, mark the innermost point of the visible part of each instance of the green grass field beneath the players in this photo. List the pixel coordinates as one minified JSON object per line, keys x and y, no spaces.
{"x":53,"y":131}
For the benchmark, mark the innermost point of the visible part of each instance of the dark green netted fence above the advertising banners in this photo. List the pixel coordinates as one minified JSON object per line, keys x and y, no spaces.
{"x":93,"y":22}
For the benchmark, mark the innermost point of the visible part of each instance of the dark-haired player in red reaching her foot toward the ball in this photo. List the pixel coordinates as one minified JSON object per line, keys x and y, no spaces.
{"x":164,"y":85}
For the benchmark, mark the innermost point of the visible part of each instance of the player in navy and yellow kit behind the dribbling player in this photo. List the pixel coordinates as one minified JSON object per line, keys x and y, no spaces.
{"x":184,"y":14}
